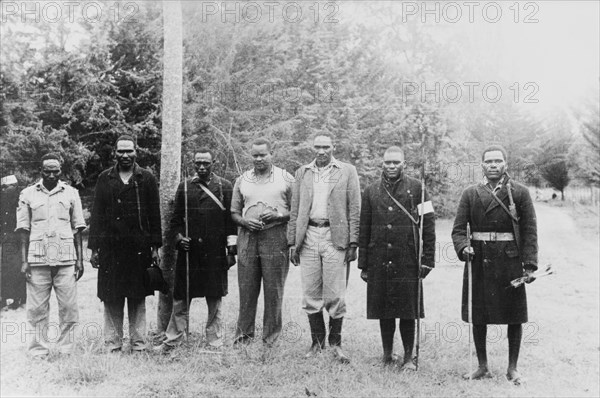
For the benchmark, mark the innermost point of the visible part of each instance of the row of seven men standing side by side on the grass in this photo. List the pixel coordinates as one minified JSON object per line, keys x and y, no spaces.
{"x":313,"y":219}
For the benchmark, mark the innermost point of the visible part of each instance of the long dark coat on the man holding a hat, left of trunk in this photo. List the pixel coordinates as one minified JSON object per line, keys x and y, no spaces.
{"x":124,"y":233}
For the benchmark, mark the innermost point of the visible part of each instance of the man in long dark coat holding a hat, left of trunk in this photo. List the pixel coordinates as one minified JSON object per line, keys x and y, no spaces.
{"x":125,"y":234}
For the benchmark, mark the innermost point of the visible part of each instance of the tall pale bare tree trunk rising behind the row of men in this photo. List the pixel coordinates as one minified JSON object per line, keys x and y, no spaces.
{"x":170,"y":170}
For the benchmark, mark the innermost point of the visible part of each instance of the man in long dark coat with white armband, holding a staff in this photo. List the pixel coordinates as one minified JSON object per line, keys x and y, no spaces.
{"x":388,"y":252}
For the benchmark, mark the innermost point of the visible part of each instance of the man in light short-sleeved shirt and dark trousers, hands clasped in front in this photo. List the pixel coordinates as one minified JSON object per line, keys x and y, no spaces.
{"x":260,"y":207}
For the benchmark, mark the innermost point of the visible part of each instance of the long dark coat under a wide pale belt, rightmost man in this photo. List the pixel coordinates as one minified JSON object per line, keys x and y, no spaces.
{"x":496,"y":263}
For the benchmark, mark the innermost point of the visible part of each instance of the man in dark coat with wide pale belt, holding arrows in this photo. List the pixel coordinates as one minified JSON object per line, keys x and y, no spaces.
{"x":499,"y":255}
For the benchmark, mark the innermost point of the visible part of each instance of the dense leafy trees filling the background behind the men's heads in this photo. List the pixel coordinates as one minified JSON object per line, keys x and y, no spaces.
{"x":74,"y":87}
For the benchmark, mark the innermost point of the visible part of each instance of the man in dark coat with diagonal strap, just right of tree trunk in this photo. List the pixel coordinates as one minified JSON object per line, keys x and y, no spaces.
{"x":211,"y":244}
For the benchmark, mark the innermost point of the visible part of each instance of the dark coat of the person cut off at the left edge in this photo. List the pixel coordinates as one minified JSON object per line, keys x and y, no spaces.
{"x":13,"y":282}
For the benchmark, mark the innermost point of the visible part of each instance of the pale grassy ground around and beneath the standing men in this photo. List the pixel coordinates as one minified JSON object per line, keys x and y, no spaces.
{"x":559,"y":357}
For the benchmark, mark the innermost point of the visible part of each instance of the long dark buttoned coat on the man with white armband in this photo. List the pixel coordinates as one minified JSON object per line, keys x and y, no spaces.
{"x":387,"y":248}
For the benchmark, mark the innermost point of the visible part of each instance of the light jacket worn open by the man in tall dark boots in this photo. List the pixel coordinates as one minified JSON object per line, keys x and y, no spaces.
{"x":343,"y":205}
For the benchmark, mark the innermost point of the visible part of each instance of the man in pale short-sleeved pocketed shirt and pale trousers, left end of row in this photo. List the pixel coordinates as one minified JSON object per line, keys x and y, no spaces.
{"x":50,"y":221}
